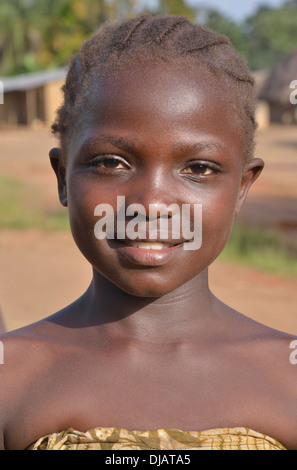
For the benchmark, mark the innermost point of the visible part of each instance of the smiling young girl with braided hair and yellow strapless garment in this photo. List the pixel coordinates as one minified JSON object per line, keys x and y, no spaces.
{"x":158,"y":113}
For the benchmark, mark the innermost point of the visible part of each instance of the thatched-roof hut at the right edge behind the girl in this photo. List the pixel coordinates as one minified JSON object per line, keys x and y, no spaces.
{"x":276,"y":90}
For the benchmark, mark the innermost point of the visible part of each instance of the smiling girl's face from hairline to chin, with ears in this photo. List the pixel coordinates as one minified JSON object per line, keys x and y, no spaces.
{"x":156,"y":136}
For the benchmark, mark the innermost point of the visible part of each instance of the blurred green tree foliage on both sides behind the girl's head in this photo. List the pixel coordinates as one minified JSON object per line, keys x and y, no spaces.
{"x":39,"y":34}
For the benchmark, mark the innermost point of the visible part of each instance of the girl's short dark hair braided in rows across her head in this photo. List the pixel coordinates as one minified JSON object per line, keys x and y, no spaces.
{"x":157,"y":37}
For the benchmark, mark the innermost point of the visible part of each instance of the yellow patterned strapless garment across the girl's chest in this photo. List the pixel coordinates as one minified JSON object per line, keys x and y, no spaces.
{"x":161,"y":439}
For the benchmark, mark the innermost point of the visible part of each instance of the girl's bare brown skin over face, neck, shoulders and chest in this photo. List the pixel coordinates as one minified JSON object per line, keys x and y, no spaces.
{"x":148,"y":345}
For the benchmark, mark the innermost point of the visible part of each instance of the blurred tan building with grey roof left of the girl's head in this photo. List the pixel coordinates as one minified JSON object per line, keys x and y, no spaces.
{"x":31,"y":98}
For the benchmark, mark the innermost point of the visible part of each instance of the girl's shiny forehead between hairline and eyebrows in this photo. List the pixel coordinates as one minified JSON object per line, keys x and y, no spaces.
{"x":160,"y":99}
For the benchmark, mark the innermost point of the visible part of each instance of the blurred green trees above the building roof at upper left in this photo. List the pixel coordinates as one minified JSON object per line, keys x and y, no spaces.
{"x":38,"y":34}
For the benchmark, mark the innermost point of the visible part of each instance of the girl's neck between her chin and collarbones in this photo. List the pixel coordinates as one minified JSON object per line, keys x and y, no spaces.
{"x":169,"y":317}
